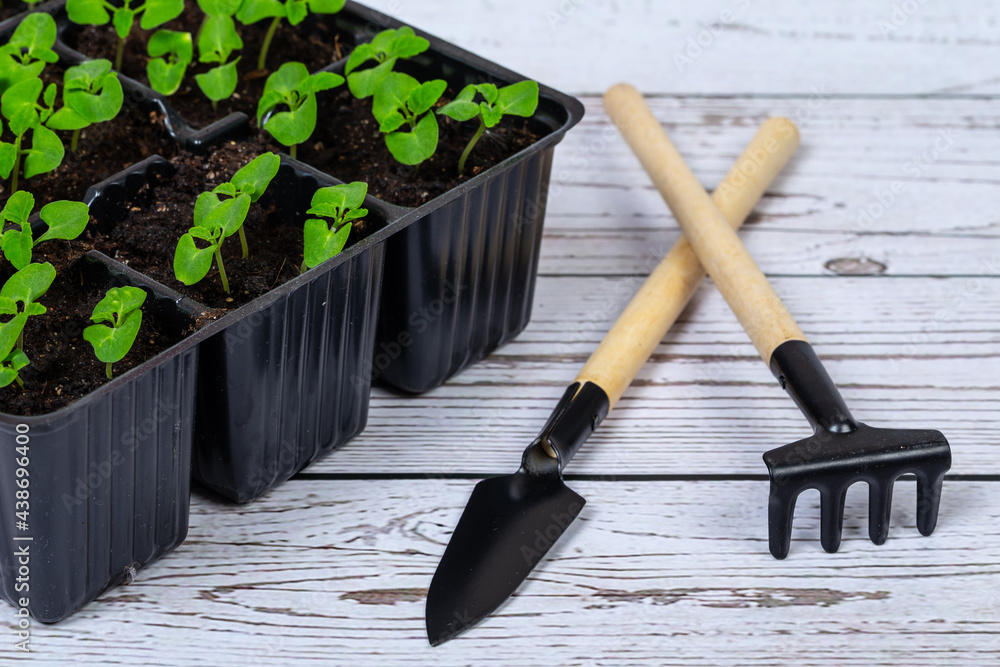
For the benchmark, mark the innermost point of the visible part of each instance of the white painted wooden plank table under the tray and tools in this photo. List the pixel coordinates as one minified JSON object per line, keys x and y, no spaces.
{"x":669,"y":562}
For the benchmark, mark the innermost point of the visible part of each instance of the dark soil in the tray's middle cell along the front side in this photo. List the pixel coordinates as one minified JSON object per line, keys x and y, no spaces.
{"x":159,"y":215}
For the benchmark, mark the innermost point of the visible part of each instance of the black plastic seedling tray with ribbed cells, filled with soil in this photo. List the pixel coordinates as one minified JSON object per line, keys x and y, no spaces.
{"x":272,"y":386}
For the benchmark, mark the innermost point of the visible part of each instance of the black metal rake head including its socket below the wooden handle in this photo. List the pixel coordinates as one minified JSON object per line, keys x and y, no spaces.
{"x":841,"y":452}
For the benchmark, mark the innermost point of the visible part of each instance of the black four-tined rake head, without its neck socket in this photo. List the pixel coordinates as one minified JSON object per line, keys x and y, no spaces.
{"x":831,"y":462}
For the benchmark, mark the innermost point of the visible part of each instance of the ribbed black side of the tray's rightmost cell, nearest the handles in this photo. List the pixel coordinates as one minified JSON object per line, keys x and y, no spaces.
{"x":460,"y":282}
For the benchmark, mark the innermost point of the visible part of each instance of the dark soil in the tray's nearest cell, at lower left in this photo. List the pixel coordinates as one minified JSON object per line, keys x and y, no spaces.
{"x":63,"y":366}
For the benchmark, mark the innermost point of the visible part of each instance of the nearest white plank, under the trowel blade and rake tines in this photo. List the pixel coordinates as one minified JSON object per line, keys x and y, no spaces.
{"x":652,"y":573}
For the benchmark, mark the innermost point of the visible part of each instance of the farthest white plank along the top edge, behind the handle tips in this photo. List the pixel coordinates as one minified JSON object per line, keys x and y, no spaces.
{"x":779,"y":46}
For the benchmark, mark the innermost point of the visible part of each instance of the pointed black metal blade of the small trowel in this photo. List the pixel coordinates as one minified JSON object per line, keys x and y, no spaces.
{"x":508,"y":526}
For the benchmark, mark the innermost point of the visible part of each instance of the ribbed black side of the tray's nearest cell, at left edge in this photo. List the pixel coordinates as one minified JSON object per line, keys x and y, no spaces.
{"x":109,"y":489}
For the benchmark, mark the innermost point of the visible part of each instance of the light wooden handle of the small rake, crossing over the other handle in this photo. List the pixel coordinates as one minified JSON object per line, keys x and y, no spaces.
{"x":706,"y":225}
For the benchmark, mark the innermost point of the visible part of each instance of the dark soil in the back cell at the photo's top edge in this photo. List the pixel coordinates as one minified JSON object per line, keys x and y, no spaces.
{"x":316,"y":49}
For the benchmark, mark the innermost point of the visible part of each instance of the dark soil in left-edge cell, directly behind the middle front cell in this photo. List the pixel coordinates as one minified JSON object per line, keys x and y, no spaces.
{"x":103,"y":150}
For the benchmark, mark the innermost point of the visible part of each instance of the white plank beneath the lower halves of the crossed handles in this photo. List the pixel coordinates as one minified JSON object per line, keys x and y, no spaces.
{"x":915,"y":353}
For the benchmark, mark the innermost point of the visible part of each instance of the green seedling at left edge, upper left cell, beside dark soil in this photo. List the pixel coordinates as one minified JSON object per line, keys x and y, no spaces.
{"x":19,"y":105}
